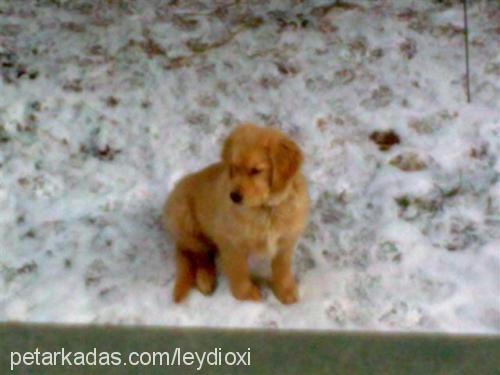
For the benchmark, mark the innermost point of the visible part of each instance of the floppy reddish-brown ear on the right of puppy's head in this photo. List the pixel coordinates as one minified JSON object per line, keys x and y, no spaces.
{"x":286,"y":159}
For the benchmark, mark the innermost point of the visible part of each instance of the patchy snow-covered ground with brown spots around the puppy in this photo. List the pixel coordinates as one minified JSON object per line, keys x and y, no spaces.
{"x":105,"y":104}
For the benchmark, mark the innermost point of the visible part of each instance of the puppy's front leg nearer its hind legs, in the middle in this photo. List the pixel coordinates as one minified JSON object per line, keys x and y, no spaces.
{"x":235,"y":266}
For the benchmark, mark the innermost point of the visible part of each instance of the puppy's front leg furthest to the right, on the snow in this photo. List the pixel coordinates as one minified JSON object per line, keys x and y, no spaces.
{"x":283,"y":281}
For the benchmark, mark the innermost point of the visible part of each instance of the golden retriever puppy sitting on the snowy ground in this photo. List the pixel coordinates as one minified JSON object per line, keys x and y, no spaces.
{"x":254,"y":201}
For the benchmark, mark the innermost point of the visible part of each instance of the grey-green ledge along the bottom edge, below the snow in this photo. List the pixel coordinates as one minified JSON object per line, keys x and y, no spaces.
{"x":271,"y":352}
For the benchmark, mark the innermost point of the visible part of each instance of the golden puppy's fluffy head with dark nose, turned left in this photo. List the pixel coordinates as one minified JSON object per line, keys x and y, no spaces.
{"x":260,"y":162}
